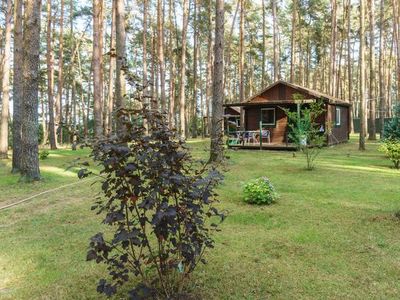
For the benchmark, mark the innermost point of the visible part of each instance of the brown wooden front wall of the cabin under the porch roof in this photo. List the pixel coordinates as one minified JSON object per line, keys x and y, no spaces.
{"x":278,"y":133}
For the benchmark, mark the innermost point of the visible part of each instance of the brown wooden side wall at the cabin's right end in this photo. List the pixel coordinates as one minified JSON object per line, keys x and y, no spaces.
{"x":340,"y":133}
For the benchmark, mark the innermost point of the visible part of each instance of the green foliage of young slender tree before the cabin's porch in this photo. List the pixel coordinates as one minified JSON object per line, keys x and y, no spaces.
{"x":304,"y":131}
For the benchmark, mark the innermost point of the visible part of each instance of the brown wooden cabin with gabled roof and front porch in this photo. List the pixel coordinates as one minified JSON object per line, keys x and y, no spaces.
{"x":265,"y":108}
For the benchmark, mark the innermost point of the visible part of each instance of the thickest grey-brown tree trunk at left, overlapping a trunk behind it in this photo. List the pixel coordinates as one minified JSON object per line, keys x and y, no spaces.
{"x":31,"y":45}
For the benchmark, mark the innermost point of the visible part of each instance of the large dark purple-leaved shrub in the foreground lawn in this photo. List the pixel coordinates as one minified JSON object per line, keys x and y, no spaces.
{"x":159,"y":205}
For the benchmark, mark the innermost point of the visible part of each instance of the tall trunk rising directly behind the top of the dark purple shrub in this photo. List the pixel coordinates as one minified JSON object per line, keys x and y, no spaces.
{"x":121,"y":61}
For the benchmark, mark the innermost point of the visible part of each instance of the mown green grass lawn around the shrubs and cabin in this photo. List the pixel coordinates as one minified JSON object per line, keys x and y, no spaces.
{"x":332,"y":234}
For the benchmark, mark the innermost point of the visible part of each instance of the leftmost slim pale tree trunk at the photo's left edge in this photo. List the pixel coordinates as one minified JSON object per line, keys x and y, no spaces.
{"x":5,"y":88}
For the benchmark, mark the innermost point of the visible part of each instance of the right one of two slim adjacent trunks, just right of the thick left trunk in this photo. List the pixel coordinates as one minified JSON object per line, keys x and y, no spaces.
{"x":59,"y":115}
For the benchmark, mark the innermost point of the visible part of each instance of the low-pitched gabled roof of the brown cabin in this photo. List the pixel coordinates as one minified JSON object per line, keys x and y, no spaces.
{"x":256,"y":99}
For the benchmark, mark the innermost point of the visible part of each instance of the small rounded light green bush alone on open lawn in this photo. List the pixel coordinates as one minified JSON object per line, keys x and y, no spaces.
{"x":259,"y":191}
